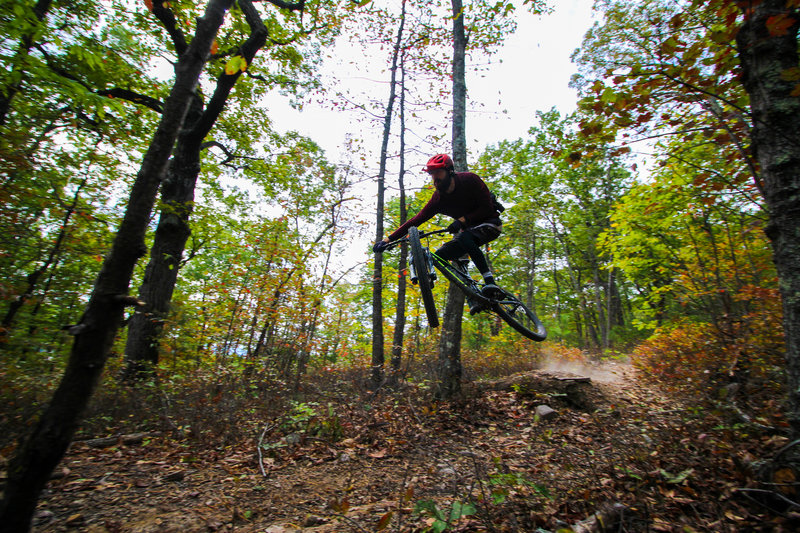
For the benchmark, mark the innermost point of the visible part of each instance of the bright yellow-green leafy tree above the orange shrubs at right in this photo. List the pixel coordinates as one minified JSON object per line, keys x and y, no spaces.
{"x":688,"y":249}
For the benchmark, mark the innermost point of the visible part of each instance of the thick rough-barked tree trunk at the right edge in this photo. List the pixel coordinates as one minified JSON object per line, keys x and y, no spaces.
{"x":766,"y":55}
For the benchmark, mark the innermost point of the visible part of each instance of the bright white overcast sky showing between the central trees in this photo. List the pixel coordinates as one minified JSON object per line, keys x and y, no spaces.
{"x":531,"y":72}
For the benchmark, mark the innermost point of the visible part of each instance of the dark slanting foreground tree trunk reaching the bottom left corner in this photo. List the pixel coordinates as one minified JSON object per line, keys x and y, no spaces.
{"x":31,"y":466}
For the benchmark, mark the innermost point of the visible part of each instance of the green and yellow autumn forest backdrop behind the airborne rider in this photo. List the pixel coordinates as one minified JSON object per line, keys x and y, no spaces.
{"x":634,"y":224}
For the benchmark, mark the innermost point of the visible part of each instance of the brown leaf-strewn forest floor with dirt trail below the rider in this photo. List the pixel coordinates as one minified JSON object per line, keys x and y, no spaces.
{"x":401,"y":462}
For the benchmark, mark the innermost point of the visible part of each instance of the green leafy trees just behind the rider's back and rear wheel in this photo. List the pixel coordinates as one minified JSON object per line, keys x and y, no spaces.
{"x":558,"y":205}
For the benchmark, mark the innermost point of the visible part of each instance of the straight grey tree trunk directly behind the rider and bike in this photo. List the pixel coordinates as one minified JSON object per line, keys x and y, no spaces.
{"x":450,"y":341}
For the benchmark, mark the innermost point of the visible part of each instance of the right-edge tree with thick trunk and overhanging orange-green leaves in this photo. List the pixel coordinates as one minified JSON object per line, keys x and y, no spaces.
{"x":724,"y":72}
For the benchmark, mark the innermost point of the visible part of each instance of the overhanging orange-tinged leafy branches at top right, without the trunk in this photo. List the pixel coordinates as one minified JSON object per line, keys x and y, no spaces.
{"x":659,"y":68}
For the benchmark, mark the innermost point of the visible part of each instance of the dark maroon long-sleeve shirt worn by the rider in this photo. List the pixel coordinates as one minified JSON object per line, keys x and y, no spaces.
{"x":470,"y":199}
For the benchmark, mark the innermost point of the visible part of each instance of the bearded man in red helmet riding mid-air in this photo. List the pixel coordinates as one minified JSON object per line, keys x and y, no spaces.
{"x":466,"y":198}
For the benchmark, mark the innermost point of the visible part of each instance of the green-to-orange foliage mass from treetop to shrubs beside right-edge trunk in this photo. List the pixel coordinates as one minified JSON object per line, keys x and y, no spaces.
{"x":689,"y":238}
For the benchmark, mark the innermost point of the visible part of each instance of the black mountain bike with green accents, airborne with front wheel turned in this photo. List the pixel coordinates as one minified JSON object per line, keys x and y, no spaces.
{"x":423,"y":265}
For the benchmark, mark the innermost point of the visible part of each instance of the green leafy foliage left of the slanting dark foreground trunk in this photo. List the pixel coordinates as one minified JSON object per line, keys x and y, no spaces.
{"x":66,"y":119}
